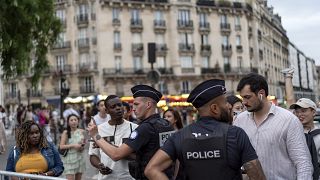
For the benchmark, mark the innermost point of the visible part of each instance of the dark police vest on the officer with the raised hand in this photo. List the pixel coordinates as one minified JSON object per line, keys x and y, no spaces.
{"x":163,"y":130}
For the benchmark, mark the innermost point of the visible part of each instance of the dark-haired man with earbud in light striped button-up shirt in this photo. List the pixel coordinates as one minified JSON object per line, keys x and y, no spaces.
{"x":275,"y":133}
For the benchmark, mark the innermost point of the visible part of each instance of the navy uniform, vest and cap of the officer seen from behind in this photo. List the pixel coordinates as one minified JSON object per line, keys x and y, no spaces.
{"x":209,"y":149}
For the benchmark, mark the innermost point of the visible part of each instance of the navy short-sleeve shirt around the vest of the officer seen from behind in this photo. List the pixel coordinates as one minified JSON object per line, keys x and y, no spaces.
{"x":239,"y":148}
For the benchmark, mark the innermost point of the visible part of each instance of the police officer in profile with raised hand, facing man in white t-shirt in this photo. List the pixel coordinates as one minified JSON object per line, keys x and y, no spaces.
{"x":146,"y":139}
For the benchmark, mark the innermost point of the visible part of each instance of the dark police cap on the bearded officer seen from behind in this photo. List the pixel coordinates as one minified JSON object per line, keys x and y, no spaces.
{"x":206,"y":91}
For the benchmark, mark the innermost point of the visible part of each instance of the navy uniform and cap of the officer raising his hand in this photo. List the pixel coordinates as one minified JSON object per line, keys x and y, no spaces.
{"x":149,"y":136}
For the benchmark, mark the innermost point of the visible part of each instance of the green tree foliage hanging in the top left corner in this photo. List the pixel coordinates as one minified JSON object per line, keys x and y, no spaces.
{"x":27,"y":29}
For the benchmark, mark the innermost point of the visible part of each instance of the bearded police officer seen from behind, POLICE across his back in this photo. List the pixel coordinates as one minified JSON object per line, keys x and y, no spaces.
{"x":208,"y":148}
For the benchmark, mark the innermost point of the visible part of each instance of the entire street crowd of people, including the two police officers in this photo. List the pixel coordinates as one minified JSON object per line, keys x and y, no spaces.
{"x":224,"y":137}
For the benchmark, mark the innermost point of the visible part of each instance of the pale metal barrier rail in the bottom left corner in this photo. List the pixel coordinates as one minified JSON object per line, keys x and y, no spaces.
{"x":28,"y":176}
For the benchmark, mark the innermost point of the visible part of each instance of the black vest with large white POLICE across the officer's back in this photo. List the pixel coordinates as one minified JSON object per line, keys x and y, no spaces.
{"x":205,"y":157}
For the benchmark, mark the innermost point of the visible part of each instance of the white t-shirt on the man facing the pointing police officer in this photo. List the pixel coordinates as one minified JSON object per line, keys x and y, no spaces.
{"x":120,"y":168}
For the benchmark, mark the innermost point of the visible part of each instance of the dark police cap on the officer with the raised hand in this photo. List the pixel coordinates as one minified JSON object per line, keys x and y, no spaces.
{"x":146,"y":91}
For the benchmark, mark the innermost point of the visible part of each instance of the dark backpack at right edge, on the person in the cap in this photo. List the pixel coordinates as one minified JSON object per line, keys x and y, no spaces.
{"x":313,"y":152}
